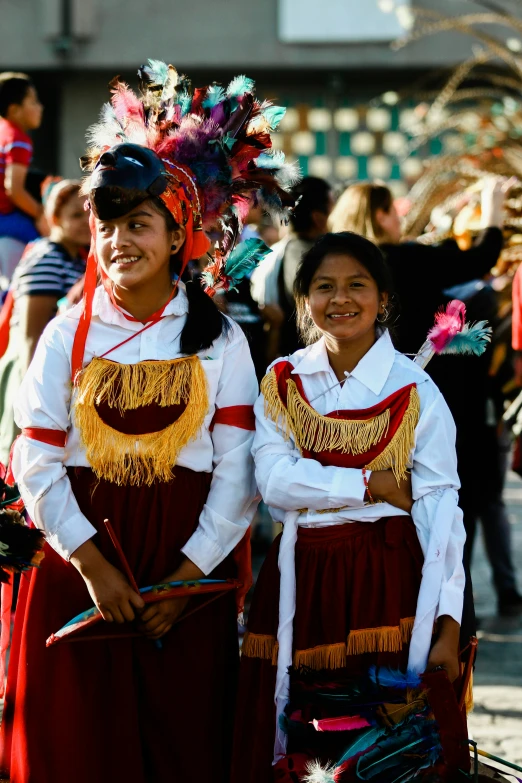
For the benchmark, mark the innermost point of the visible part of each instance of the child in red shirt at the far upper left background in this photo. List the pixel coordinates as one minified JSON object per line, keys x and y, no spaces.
{"x":20,"y":112}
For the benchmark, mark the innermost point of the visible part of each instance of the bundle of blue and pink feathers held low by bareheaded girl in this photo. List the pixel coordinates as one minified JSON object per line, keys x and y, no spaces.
{"x":386,"y":727}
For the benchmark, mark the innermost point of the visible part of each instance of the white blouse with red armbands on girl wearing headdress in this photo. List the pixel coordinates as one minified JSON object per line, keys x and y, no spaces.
{"x":45,"y":401}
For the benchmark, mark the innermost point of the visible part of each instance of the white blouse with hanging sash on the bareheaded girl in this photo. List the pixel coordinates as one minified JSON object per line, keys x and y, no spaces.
{"x":290,"y":483}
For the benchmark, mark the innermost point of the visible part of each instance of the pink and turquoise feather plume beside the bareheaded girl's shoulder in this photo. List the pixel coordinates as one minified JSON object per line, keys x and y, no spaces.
{"x":452,"y":335}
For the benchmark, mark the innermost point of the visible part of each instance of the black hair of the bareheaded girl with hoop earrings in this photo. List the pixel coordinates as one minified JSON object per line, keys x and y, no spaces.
{"x":345,"y":243}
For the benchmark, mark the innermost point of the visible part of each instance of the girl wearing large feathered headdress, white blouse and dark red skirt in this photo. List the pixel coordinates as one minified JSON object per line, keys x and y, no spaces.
{"x":138,"y":408}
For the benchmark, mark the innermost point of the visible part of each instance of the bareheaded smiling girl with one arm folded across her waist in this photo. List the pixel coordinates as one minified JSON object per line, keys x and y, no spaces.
{"x":339,"y":426}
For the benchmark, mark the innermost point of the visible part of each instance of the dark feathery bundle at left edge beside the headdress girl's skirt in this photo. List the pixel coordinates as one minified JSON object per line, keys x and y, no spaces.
{"x":20,"y":546}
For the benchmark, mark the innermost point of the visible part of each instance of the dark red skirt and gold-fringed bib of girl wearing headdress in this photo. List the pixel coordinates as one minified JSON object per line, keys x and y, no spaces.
{"x":121,"y":709}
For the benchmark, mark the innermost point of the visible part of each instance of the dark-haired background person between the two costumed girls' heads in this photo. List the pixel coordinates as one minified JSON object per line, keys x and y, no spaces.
{"x":272,"y":282}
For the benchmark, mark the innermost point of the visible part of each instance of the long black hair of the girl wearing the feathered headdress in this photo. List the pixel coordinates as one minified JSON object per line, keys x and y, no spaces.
{"x":205,"y":323}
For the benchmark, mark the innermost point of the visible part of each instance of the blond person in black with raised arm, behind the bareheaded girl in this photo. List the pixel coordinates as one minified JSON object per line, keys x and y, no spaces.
{"x":423,"y":275}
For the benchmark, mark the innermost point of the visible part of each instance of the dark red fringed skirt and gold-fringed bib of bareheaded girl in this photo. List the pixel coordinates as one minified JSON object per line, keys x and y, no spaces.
{"x":356,"y":584}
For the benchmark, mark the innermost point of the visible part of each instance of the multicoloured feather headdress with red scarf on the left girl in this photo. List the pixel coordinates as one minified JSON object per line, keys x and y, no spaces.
{"x":217,"y":152}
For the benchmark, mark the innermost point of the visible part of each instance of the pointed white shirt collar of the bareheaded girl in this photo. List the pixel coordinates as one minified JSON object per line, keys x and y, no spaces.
{"x":372,"y":371}
